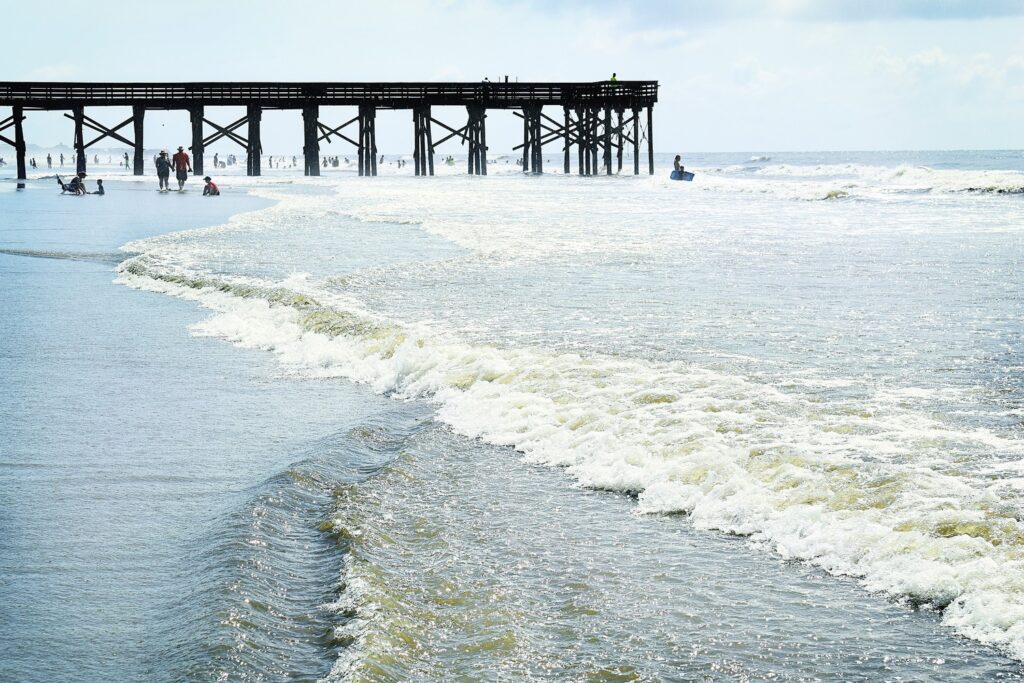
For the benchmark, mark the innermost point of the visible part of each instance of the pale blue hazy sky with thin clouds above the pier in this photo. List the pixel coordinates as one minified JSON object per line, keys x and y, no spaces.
{"x":736,"y":75}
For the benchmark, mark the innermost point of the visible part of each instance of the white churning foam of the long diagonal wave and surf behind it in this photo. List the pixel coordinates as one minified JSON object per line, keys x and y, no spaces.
{"x":860,"y":476}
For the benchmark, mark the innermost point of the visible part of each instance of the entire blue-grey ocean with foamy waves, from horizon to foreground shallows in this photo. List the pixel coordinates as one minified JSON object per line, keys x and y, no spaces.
{"x":766,"y":425}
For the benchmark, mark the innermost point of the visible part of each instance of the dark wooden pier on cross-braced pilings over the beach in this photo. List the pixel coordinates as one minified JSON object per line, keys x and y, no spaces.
{"x":602,"y":117}
